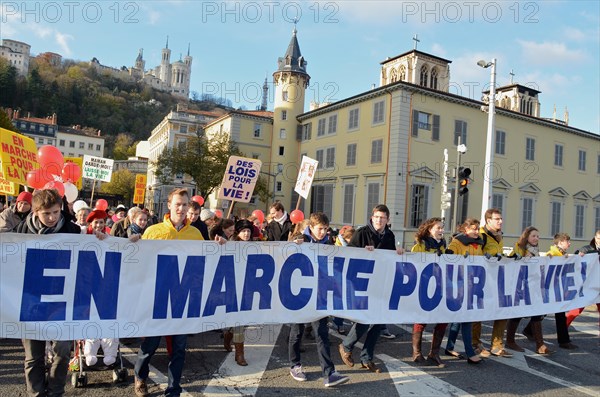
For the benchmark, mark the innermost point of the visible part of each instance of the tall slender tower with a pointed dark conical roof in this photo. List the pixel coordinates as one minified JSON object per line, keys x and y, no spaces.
{"x":291,"y":81}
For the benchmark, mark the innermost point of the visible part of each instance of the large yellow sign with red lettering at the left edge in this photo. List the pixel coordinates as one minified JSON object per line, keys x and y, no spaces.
{"x":18,"y":156}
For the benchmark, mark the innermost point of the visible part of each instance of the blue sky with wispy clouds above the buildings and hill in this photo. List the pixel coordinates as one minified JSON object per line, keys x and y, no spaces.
{"x":553,"y":46}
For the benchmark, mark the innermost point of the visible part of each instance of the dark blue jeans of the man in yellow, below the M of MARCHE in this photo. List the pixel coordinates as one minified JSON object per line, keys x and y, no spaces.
{"x":147,"y":350}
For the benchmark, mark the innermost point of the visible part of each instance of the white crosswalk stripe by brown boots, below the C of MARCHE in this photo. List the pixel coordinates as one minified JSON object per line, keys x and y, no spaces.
{"x":232,"y":380}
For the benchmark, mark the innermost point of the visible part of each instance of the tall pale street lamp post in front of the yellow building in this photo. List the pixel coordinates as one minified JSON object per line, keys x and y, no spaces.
{"x":489,"y":159}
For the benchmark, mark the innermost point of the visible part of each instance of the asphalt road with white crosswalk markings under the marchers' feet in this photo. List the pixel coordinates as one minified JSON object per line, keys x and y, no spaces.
{"x":210,"y":371}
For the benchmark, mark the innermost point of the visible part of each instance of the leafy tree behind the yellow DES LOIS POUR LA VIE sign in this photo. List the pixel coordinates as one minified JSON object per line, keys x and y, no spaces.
{"x":204,"y":160}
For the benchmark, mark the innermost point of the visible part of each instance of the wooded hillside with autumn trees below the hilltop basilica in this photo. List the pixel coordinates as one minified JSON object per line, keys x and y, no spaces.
{"x":79,"y":95}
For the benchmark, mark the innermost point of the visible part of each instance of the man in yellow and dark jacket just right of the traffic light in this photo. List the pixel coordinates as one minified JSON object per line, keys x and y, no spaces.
{"x":491,"y":233}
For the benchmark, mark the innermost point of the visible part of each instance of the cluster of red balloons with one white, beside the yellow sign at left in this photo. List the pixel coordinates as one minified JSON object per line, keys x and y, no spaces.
{"x":54,"y":173}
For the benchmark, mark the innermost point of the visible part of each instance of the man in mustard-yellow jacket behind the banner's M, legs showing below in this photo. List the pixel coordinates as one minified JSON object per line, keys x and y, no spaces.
{"x":175,"y":226}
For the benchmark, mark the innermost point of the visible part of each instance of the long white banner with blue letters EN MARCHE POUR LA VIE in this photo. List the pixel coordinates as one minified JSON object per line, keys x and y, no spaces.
{"x":74,"y":286}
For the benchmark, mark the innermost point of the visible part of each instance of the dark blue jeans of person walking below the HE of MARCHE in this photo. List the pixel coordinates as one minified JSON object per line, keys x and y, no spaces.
{"x":322,"y":339}
